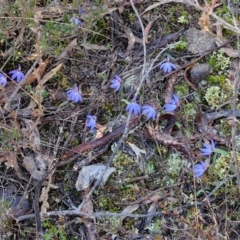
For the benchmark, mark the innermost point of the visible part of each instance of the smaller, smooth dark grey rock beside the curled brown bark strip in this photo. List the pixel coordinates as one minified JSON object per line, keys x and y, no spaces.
{"x":200,"y":71}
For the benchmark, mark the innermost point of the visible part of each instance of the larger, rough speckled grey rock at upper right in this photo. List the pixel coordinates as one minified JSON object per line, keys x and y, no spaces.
{"x":200,"y":41}
